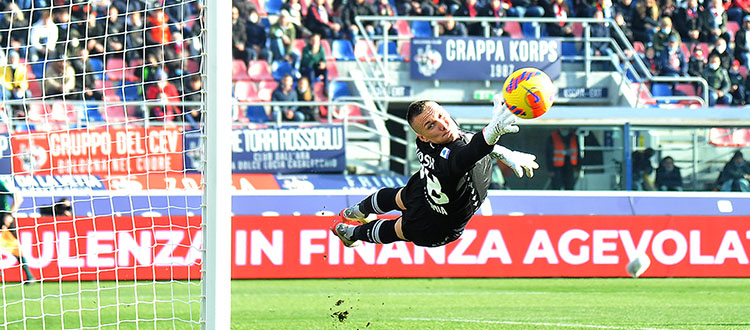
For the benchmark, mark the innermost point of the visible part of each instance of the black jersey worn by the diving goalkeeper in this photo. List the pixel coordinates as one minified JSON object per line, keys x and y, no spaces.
{"x":450,"y":186}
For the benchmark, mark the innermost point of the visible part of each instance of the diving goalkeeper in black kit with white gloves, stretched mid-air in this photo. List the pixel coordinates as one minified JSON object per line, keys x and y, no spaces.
{"x":438,"y":201}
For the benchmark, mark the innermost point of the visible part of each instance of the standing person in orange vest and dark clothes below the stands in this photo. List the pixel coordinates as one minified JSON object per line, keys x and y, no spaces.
{"x":562,"y":153}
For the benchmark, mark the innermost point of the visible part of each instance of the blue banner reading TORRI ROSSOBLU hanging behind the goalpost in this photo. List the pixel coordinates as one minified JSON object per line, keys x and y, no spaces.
{"x":317,"y":149}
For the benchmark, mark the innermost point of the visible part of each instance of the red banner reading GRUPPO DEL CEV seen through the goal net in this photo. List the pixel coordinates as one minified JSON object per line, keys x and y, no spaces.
{"x":103,"y":151}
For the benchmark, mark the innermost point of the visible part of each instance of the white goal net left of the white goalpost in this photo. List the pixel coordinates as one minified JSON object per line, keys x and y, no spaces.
{"x":102,"y":129}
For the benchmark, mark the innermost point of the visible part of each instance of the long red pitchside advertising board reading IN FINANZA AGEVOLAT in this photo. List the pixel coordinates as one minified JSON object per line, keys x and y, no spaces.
{"x":303,"y":247}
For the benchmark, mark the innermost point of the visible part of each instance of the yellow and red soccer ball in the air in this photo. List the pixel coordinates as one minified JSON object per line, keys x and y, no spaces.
{"x":528,"y":93}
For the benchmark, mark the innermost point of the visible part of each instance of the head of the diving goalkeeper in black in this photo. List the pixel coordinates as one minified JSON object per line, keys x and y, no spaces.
{"x":435,"y":125}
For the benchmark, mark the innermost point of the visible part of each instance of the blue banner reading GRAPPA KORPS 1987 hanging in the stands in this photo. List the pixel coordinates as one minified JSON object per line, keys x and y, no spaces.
{"x":477,"y":58}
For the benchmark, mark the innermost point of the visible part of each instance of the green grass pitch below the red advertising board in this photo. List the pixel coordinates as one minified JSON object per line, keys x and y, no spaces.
{"x":618,"y":303}
